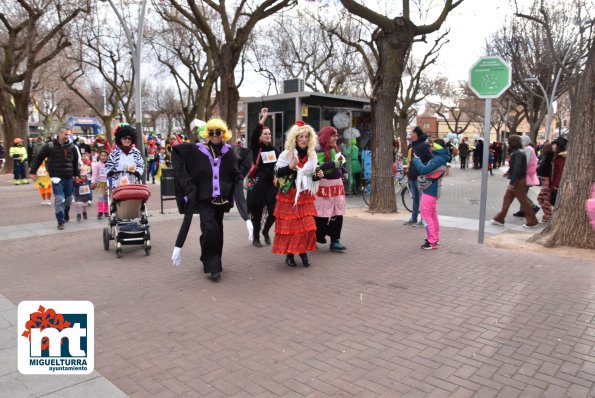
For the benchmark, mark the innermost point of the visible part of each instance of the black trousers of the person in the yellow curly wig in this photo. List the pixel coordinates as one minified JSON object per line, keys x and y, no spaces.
{"x":211,"y":238}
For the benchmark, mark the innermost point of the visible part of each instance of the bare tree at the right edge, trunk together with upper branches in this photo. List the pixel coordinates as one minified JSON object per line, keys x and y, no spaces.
{"x":570,"y":226}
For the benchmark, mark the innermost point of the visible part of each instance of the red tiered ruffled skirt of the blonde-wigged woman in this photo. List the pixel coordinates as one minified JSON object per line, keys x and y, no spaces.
{"x":295,"y":228}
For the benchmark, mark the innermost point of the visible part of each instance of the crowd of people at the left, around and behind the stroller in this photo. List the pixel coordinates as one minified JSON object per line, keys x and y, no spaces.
{"x":73,"y":171}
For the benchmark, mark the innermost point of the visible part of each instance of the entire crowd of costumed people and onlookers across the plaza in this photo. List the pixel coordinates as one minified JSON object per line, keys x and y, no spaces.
{"x":301,"y":190}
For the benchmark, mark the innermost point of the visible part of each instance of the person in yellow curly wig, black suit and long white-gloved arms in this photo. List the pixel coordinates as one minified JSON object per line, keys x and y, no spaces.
{"x":207,"y":181}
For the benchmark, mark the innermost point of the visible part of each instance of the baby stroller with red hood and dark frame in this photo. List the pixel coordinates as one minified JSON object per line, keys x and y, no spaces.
{"x":127,"y":223}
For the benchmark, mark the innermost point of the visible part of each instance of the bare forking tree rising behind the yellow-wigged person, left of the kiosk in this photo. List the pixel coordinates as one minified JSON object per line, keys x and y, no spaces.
{"x":236,"y":23}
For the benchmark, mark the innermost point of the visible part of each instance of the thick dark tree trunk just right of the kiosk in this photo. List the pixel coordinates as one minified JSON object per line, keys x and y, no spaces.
{"x":393,"y":49}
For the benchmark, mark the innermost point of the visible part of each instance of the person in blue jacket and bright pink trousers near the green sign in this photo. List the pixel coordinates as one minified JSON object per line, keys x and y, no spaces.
{"x":430,"y":181}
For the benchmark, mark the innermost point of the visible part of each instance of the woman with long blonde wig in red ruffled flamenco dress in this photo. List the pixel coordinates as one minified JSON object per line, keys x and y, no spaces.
{"x":295,"y":228}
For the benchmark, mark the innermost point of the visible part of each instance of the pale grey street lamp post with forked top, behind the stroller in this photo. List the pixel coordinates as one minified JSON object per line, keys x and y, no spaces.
{"x":136,"y":59}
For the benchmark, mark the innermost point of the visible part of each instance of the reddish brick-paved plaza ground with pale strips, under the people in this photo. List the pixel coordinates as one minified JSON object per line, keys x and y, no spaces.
{"x":384,"y":319}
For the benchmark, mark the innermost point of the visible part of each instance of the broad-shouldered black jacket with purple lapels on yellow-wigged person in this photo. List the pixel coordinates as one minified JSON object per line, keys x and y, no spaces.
{"x":194,"y":178}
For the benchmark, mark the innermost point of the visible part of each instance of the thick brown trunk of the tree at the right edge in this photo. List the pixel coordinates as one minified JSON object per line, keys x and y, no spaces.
{"x":569,"y":225}
